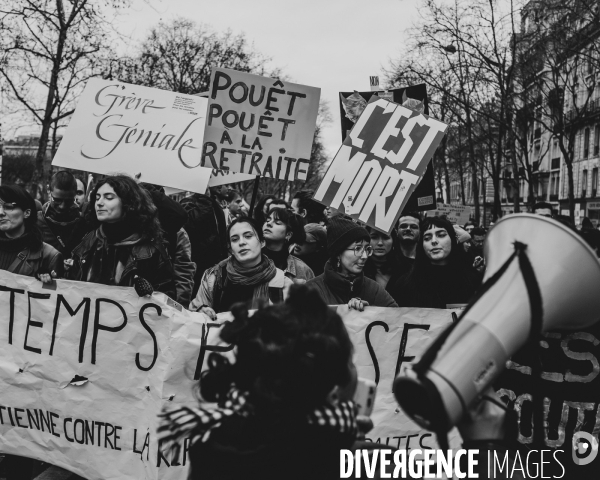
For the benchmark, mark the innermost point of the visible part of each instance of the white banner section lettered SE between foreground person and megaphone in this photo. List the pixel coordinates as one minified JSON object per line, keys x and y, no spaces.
{"x":386,"y":340}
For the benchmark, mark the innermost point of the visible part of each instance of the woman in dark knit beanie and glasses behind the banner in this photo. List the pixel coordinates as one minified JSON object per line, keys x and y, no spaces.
{"x":343,"y":281}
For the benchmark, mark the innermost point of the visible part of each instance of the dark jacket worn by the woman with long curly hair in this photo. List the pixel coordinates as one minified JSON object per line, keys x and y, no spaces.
{"x":145,"y":258}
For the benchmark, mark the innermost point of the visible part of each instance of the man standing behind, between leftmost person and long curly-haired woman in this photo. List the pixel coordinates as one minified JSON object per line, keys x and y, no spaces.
{"x":60,"y":220}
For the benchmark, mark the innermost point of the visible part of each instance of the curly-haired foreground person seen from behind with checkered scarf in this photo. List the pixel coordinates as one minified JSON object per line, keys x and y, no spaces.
{"x":284,"y":408}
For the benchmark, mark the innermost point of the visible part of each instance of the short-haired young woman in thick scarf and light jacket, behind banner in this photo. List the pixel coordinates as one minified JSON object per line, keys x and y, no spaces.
{"x":247,"y":276}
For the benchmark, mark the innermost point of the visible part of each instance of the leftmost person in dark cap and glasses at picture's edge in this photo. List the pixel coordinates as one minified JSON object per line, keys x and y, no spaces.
{"x":22,"y":250}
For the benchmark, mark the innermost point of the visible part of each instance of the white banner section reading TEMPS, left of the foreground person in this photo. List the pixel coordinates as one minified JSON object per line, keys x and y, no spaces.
{"x":84,"y":371}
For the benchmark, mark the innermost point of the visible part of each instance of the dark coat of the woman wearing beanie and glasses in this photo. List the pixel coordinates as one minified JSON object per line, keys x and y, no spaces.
{"x":336,"y":289}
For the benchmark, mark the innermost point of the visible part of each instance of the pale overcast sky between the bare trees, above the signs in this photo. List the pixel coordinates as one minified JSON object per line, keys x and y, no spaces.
{"x":331,"y":44}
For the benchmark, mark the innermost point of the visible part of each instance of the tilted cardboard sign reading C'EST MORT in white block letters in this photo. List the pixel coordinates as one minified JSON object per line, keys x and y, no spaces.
{"x":380,"y":163}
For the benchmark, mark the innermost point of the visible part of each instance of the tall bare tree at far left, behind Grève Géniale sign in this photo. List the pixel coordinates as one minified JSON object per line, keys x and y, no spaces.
{"x":49,"y":50}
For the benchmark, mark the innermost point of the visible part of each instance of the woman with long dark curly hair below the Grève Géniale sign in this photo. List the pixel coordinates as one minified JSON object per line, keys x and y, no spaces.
{"x":126,"y":246}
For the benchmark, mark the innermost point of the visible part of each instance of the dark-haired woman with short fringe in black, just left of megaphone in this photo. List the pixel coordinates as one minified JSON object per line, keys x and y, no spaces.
{"x":441,"y":274}
